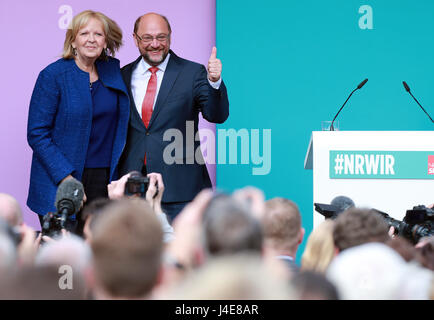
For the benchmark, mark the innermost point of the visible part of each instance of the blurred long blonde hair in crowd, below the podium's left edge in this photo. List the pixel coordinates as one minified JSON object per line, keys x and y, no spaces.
{"x":320,"y":249}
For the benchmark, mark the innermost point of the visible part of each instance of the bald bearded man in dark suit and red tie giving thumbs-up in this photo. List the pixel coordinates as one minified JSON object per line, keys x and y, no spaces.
{"x":166,"y":95}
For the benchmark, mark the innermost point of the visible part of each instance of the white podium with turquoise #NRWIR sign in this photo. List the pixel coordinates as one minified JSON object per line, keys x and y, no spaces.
{"x":391,"y":171}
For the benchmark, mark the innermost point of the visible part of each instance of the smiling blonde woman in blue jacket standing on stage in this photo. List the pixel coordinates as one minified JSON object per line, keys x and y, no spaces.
{"x":78,"y":115}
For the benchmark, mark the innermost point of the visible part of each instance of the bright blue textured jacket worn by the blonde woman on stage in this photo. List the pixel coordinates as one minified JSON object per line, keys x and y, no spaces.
{"x":59,"y":126}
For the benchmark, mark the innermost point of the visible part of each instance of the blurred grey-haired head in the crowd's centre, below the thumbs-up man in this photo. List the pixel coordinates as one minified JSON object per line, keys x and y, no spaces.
{"x":229,"y":228}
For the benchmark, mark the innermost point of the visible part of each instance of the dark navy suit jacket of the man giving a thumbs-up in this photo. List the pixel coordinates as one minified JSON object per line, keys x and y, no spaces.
{"x":184,"y":92}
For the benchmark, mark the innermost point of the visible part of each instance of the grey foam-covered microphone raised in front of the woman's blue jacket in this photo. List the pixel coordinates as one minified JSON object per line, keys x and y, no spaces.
{"x":69,"y":197}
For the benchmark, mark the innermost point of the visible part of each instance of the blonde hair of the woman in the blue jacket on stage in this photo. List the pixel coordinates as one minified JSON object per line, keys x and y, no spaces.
{"x":112,"y":32}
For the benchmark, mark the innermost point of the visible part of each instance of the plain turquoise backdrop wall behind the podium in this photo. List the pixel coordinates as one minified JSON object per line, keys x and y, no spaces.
{"x":289,"y":65}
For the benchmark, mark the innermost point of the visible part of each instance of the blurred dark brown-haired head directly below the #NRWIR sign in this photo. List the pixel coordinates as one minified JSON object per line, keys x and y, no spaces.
{"x":358,"y":226}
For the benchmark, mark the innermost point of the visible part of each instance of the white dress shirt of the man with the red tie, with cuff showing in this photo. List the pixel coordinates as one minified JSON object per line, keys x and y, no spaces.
{"x":140,"y":78}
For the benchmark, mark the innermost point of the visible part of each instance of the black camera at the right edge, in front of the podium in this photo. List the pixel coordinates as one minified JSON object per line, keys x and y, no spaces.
{"x":417,"y":223}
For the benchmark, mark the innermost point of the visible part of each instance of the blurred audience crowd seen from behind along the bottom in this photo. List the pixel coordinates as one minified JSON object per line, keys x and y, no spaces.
{"x":221,"y":246}
